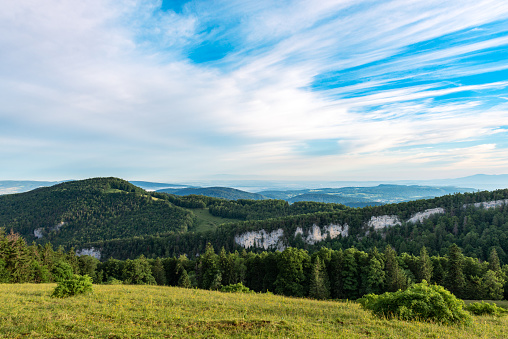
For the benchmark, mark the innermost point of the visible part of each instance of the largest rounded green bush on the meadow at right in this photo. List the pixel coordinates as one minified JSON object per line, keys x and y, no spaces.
{"x":421,"y":302}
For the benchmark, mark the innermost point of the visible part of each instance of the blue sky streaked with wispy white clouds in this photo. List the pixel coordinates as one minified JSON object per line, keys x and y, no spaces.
{"x":174,"y":91}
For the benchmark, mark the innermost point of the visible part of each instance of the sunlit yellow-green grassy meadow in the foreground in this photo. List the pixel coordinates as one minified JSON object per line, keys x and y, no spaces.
{"x":149,"y":311}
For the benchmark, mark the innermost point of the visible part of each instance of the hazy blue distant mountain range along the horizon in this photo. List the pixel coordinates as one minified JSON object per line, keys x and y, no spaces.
{"x":351,"y":193}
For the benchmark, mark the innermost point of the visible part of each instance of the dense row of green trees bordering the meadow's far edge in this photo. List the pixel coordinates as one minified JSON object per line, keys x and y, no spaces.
{"x":325,"y":274}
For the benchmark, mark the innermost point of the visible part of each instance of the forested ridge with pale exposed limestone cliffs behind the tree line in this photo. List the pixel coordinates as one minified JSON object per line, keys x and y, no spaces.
{"x":476,"y":222}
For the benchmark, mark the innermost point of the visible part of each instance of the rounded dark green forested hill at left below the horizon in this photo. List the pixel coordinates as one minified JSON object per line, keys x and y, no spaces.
{"x":74,"y":212}
